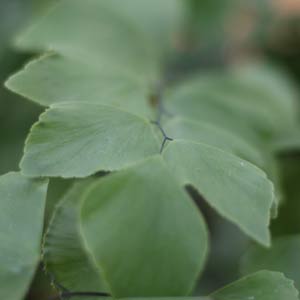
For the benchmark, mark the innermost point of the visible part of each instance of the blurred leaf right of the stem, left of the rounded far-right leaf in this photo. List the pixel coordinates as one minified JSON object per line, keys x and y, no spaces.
{"x":191,"y":101}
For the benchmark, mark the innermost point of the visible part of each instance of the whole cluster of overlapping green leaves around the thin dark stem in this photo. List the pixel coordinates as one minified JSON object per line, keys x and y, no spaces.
{"x":136,"y":142}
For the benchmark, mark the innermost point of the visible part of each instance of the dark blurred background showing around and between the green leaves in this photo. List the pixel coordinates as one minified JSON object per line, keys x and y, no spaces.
{"x":216,"y":34}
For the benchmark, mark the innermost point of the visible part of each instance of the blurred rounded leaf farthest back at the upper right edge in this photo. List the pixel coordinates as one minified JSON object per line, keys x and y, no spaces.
{"x":253,"y":97}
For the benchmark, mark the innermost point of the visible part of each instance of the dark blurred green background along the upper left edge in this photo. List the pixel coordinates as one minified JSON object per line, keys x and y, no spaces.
{"x":16,"y":115}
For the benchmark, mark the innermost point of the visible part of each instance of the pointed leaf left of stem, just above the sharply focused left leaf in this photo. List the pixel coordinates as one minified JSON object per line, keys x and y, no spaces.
{"x":53,"y":79}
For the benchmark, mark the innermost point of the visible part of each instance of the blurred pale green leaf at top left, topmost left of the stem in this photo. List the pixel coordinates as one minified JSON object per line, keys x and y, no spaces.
{"x":92,"y":32}
